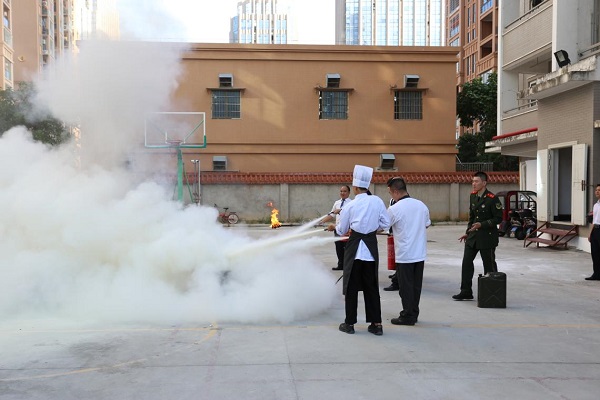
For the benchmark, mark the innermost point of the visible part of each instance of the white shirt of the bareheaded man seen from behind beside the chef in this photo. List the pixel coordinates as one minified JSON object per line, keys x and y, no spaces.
{"x":409,"y":219}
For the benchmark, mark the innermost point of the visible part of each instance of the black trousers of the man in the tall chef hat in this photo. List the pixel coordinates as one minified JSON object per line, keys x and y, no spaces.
{"x":362,"y":278}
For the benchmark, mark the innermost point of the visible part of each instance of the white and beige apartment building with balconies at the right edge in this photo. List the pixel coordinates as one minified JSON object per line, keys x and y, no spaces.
{"x":549,"y":104}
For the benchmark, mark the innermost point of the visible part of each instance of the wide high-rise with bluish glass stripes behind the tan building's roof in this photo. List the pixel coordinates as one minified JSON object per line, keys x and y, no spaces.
{"x":389,"y":22}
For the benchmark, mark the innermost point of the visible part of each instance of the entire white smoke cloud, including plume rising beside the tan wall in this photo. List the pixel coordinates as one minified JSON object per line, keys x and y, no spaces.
{"x":85,"y":241}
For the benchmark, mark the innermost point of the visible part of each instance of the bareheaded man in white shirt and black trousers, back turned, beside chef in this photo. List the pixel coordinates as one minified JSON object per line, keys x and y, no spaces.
{"x":409,"y":219}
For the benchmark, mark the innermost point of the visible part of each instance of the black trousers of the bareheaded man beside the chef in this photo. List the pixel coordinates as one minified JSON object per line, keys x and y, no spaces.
{"x":410,"y":278}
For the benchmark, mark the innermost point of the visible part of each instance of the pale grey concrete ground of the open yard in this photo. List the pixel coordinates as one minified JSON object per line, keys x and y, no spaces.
{"x":544,"y":345}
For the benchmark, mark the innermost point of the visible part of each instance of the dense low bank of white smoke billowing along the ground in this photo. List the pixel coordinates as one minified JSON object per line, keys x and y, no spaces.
{"x":79,"y":244}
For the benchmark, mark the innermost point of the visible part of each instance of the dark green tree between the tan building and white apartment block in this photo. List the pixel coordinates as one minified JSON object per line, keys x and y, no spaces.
{"x":476,"y":107}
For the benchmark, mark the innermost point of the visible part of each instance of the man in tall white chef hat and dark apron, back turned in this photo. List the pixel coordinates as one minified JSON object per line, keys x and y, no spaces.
{"x":364,"y":216}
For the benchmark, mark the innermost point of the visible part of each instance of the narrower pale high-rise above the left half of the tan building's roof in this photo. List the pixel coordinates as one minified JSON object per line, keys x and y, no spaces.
{"x":259,"y":22}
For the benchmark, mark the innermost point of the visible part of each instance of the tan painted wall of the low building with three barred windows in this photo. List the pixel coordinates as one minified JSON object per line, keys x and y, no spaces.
{"x":280,"y":131}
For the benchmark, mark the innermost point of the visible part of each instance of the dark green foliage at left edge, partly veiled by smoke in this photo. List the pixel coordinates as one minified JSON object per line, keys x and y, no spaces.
{"x":16,"y":109}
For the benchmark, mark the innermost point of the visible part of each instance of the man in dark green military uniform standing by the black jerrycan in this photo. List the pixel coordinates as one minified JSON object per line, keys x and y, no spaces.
{"x":485,"y":213}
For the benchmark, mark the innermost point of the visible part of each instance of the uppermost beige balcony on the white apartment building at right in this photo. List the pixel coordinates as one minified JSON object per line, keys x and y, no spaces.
{"x":536,"y":26}
